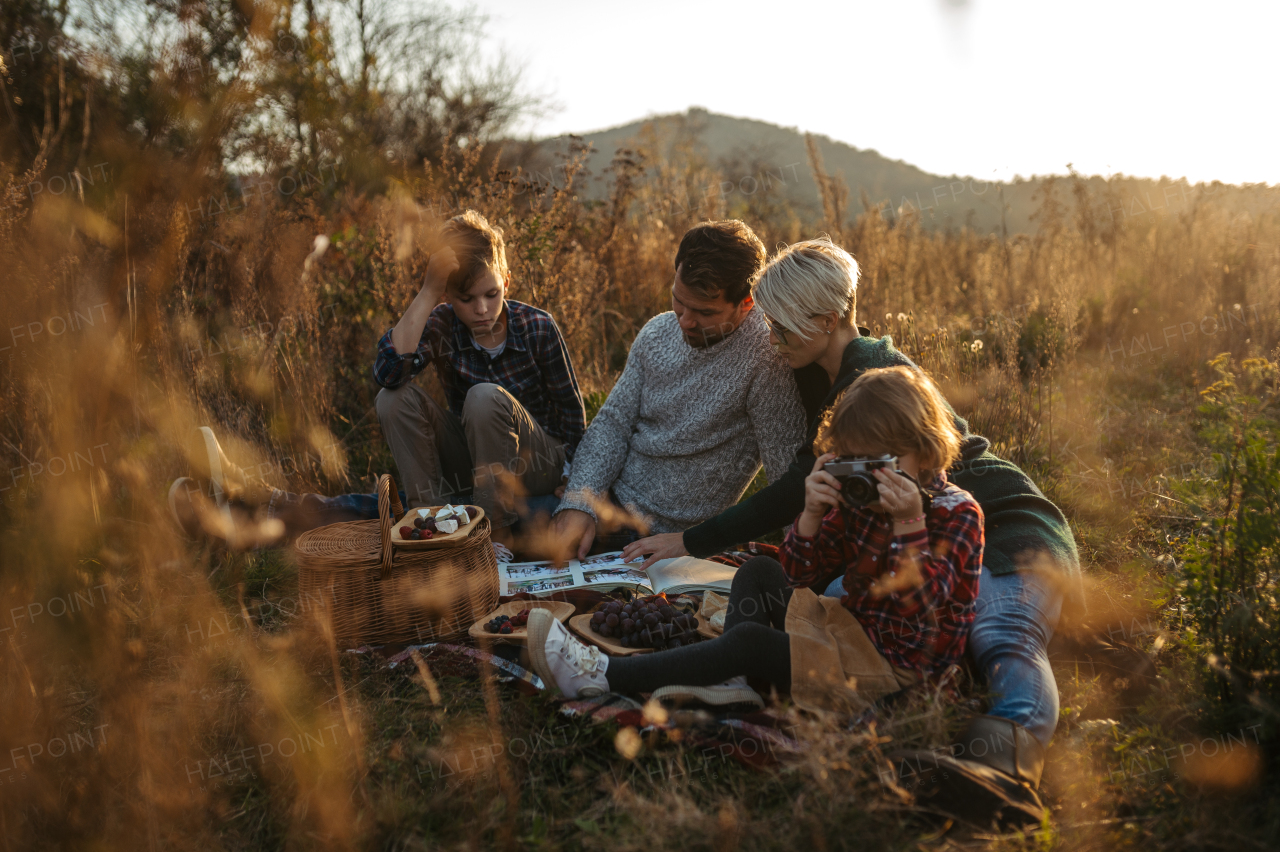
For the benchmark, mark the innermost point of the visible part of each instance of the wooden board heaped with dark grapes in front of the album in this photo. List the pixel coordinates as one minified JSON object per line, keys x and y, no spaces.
{"x":638,"y":627}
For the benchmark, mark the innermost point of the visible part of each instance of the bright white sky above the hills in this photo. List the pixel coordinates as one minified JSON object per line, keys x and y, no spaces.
{"x":971,"y":88}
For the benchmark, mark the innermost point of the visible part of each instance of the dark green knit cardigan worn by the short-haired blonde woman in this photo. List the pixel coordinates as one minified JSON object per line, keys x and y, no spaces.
{"x":1022,"y":525}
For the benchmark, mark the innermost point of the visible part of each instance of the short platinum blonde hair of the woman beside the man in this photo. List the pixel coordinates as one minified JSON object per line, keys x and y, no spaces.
{"x":808,"y":280}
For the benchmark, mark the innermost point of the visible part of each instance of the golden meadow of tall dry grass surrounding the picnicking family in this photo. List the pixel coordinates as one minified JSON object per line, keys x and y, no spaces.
{"x":1126,"y":358}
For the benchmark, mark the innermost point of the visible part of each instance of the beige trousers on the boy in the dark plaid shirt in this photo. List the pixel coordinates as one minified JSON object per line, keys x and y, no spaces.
{"x":496,"y":450}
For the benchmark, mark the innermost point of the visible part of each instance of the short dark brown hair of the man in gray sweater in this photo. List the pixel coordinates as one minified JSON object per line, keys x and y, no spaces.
{"x":721,"y":259}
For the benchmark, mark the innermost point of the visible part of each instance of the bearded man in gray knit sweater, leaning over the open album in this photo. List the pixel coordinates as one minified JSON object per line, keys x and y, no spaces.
{"x":703,"y":401}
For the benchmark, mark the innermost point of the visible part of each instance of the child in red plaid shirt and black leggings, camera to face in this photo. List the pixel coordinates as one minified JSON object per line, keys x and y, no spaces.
{"x":911,"y":562}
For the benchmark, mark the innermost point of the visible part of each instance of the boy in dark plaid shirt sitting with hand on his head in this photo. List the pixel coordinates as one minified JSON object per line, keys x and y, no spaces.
{"x":515,"y":411}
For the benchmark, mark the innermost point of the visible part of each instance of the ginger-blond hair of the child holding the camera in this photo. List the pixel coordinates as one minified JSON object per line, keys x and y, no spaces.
{"x":898,"y":411}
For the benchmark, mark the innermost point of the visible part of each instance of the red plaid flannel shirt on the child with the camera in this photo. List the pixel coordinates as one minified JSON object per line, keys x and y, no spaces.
{"x":924,"y":630}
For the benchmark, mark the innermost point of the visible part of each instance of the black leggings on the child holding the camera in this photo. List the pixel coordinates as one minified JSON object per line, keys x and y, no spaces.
{"x":755,"y":643}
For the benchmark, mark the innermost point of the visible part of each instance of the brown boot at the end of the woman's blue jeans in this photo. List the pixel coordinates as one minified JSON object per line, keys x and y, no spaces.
{"x":989,"y":777}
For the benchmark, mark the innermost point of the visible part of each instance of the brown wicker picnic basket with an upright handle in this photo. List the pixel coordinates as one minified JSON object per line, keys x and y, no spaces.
{"x":376,"y":593}
